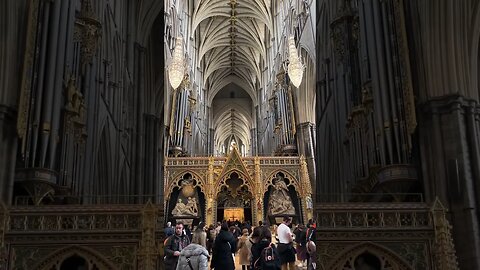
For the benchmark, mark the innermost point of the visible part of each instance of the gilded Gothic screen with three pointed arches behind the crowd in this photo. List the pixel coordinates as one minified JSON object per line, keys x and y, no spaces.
{"x":211,"y":173}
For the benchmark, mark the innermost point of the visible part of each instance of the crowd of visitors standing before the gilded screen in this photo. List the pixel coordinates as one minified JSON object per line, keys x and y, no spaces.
{"x":215,"y":247}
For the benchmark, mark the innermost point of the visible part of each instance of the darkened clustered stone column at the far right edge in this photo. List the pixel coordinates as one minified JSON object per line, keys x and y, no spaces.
{"x":449,"y":139}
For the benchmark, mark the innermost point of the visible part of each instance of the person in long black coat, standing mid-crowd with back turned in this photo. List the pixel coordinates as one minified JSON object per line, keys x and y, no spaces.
{"x":223,"y":249}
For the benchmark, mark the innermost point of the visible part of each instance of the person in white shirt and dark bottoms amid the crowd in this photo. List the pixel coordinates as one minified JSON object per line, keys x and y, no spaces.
{"x":285,"y":245}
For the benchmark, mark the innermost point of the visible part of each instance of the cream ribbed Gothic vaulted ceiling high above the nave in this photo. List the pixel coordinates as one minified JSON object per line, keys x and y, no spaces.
{"x":232,"y":51}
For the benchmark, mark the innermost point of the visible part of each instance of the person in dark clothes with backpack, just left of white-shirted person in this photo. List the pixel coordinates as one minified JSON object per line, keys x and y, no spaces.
{"x":264,"y":252}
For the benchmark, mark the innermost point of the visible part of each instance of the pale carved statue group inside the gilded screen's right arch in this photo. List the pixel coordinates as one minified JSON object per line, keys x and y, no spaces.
{"x":280,"y":202}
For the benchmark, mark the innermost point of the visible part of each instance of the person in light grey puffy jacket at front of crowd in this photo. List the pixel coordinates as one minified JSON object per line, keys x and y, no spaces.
{"x":193,"y":257}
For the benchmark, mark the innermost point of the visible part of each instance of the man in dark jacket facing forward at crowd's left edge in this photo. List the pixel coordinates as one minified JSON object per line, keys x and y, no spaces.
{"x":174,"y":245}
